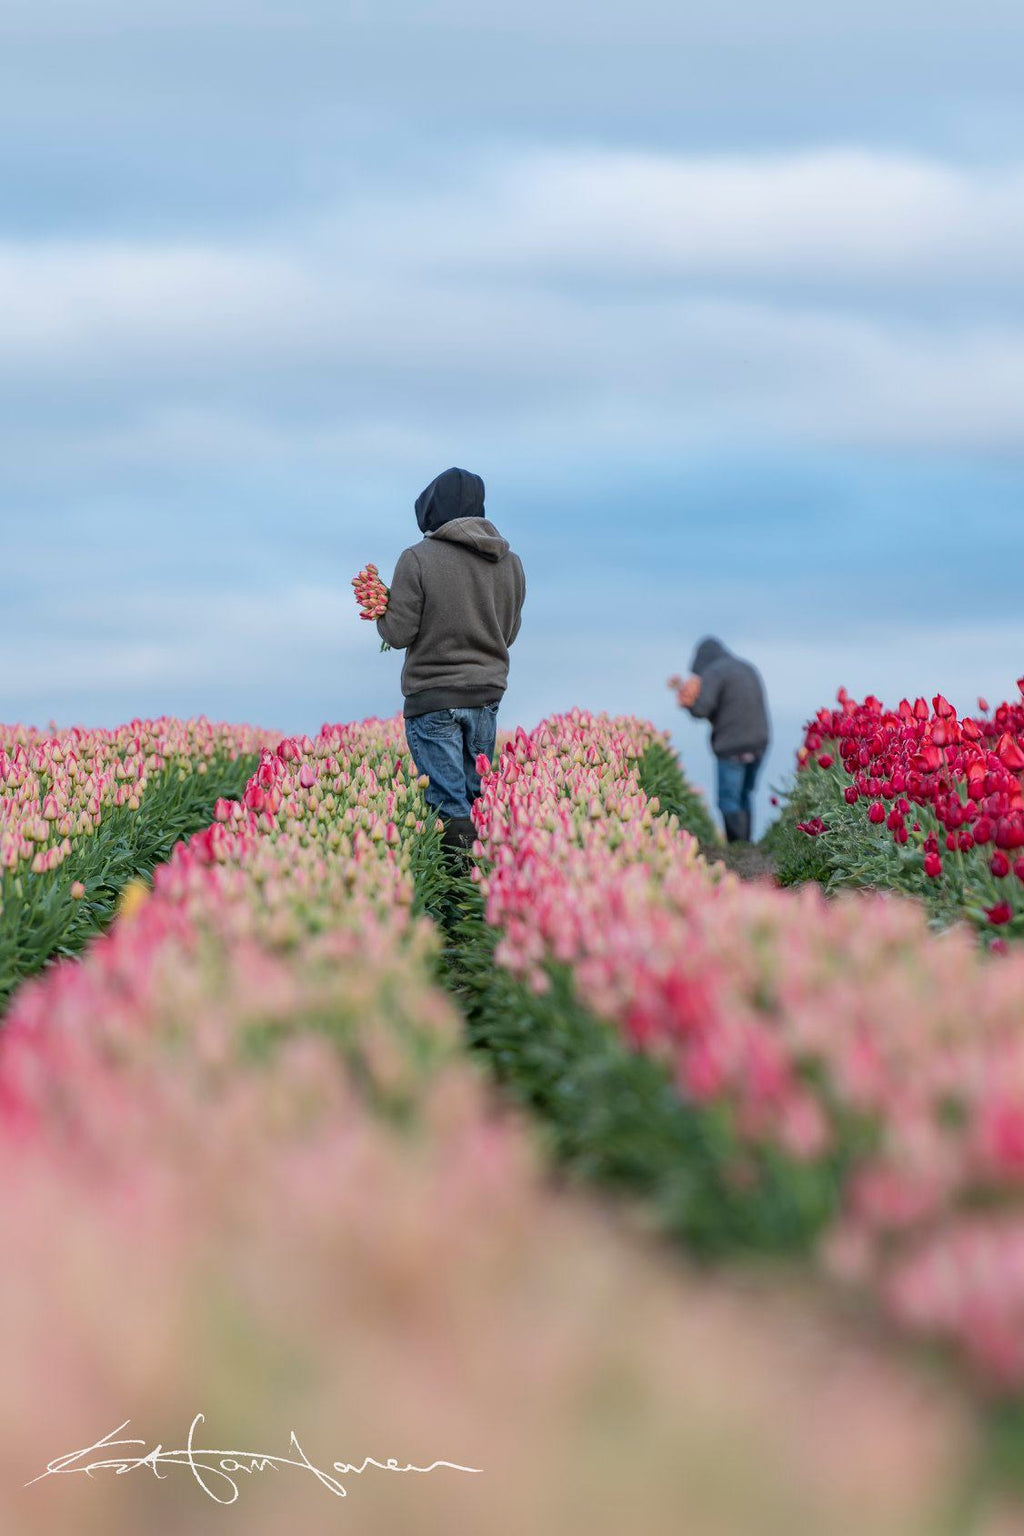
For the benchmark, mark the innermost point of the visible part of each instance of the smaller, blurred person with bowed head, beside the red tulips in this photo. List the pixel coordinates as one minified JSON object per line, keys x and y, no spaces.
{"x":730,"y":694}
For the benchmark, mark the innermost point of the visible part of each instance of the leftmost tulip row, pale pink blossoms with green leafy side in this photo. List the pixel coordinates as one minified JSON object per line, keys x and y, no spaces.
{"x":85,"y":812}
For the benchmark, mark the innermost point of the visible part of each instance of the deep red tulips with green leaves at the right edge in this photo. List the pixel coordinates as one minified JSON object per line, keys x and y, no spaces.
{"x":919,"y":799}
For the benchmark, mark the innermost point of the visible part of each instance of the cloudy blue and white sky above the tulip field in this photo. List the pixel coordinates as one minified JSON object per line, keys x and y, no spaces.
{"x":725,"y":305}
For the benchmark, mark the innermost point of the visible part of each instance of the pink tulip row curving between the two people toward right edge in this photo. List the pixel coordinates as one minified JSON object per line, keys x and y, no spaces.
{"x":842,"y":1036}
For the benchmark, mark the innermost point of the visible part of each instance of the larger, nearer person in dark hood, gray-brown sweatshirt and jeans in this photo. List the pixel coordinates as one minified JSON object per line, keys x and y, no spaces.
{"x":455,"y":609}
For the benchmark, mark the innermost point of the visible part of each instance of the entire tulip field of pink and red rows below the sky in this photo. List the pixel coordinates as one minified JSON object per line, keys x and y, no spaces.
{"x":621,"y":1188}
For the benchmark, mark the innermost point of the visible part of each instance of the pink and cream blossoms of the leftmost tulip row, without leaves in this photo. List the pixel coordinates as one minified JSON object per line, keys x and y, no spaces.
{"x":58,"y":789}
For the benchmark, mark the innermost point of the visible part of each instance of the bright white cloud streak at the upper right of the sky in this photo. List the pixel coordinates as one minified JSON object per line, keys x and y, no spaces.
{"x":825,"y":216}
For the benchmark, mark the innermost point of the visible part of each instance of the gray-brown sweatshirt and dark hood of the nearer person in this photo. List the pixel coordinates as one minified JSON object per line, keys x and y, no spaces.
{"x":457,"y":604}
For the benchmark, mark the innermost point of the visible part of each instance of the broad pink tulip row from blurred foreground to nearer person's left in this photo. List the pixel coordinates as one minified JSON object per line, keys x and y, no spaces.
{"x":282,"y":1197}
